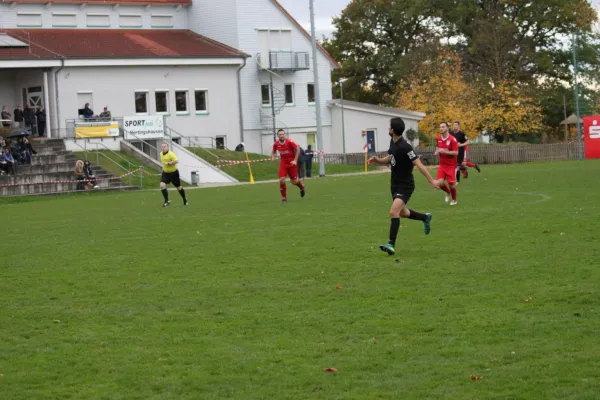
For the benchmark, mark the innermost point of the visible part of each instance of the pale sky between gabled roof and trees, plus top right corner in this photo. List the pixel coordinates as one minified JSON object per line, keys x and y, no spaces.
{"x":325,"y":10}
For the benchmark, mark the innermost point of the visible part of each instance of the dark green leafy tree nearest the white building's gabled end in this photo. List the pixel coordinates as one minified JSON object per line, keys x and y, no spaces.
{"x":373,"y":41}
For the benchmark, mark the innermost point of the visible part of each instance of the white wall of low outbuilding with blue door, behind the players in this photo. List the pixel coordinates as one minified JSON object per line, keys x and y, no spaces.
{"x":357,"y":121}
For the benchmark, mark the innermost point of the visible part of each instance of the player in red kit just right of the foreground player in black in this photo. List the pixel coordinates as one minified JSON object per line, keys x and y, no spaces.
{"x":447,"y":149}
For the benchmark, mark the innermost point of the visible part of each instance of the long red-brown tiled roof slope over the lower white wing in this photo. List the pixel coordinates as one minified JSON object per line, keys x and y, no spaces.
{"x":113,"y":43}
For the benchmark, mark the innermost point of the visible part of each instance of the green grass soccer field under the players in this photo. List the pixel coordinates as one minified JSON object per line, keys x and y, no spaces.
{"x":110,"y":296}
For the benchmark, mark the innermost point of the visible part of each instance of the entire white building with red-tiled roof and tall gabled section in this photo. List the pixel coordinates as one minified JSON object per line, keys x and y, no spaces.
{"x":216,"y":69}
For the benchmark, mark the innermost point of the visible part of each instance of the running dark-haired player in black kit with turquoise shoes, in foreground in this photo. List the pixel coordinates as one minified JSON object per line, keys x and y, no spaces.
{"x":402,"y":159}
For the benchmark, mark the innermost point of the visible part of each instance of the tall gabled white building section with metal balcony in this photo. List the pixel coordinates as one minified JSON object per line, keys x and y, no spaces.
{"x":281,"y":55}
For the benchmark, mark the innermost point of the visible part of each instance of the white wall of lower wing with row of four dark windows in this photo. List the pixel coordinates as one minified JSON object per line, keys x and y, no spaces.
{"x":115,"y":87}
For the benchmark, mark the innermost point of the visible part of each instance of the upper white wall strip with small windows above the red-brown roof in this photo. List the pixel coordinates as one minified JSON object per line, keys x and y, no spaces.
{"x":9,"y":18}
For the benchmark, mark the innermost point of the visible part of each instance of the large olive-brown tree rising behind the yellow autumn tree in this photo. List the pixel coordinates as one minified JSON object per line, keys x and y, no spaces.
{"x":516,"y":40}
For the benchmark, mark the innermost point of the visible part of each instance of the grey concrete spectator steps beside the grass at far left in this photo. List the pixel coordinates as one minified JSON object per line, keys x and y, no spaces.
{"x":53,"y":163}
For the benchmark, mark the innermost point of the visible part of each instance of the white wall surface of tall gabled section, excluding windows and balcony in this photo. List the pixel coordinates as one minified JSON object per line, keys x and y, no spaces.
{"x":214,"y":19}
